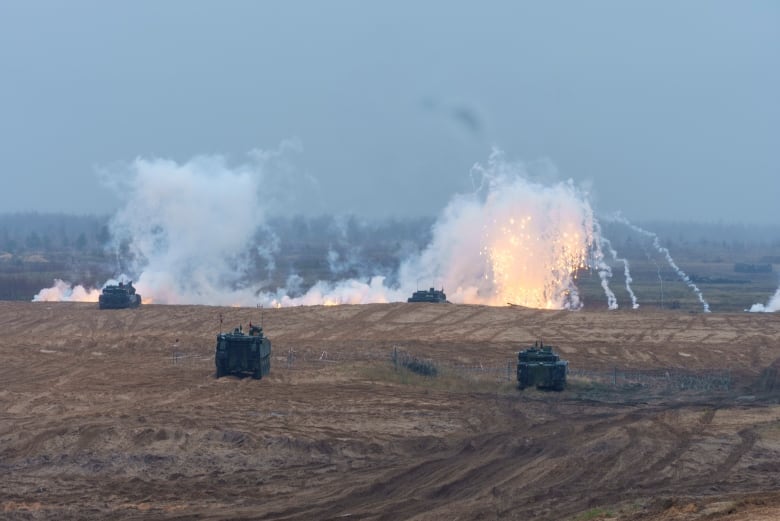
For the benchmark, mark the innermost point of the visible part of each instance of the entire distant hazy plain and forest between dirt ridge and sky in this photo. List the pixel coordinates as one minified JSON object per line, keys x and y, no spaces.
{"x":37,"y":249}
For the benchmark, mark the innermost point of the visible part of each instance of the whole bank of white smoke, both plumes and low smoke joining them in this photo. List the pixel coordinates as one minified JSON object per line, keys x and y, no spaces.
{"x":189,"y":230}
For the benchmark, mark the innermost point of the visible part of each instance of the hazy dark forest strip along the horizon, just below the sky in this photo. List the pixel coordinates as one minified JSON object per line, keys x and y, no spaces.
{"x":47,"y":232}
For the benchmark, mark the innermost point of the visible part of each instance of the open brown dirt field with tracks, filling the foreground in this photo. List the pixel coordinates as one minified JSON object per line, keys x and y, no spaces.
{"x":117,"y":415}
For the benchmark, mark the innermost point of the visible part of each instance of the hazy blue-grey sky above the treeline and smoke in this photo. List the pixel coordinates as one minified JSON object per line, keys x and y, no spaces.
{"x":668,"y":109}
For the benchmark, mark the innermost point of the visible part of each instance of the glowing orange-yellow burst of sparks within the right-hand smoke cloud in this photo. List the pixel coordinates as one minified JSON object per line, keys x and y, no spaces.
{"x":537,"y":239}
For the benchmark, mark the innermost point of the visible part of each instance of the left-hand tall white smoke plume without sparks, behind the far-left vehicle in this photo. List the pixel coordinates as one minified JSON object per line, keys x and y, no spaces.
{"x":188,"y":228}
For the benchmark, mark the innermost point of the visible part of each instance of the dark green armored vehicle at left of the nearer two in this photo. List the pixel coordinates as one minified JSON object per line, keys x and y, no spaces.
{"x":239,"y":353}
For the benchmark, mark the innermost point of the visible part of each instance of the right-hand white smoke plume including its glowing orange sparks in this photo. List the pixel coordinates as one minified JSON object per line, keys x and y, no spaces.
{"x":513,"y":241}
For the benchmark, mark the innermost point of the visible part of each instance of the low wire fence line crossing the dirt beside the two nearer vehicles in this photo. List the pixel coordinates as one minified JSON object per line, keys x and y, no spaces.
{"x":292,"y":359}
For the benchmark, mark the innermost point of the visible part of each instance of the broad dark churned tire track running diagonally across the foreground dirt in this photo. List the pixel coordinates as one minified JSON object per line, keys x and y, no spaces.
{"x":460,"y":475}
